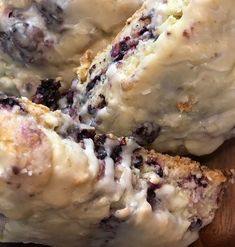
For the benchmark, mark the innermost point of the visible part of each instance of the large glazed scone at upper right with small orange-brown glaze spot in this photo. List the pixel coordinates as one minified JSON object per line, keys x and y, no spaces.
{"x":167,"y":78}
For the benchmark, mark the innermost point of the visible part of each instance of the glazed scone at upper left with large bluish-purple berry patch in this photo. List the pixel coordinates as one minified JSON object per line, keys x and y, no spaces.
{"x":45,"y":38}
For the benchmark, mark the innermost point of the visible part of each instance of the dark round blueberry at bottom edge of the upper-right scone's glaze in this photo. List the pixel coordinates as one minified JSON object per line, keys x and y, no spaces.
{"x":146,"y":133}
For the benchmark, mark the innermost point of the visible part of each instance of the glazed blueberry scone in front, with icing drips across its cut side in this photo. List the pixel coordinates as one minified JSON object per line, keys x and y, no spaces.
{"x":63,"y":185}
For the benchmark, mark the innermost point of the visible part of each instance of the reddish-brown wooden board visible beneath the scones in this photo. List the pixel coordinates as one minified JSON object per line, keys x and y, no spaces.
{"x":221,"y":233}
